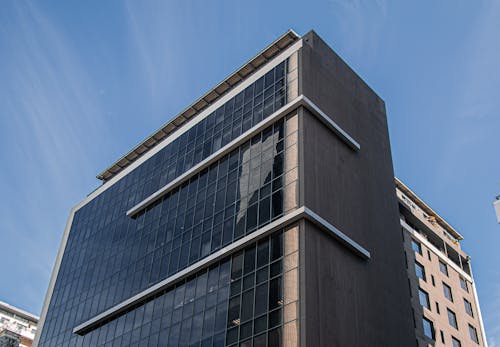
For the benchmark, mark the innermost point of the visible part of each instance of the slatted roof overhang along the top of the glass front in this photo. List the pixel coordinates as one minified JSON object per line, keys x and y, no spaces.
{"x":247,"y":69}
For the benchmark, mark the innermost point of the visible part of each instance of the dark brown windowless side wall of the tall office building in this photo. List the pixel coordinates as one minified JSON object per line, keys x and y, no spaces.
{"x":358,"y":302}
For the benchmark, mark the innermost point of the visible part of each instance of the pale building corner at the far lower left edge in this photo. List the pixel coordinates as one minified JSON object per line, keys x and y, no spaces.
{"x":17,"y":327}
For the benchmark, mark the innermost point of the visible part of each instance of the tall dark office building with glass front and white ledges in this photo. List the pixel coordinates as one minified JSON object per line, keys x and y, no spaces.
{"x":262,"y":215}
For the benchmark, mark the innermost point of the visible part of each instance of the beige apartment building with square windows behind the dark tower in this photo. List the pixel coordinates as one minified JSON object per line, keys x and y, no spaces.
{"x":443,"y":294}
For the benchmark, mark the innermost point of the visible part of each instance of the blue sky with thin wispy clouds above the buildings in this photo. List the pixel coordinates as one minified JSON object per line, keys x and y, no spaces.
{"x":83,"y":82}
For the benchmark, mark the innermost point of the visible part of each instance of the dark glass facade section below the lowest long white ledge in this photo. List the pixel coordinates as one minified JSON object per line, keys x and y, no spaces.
{"x":239,"y":299}
